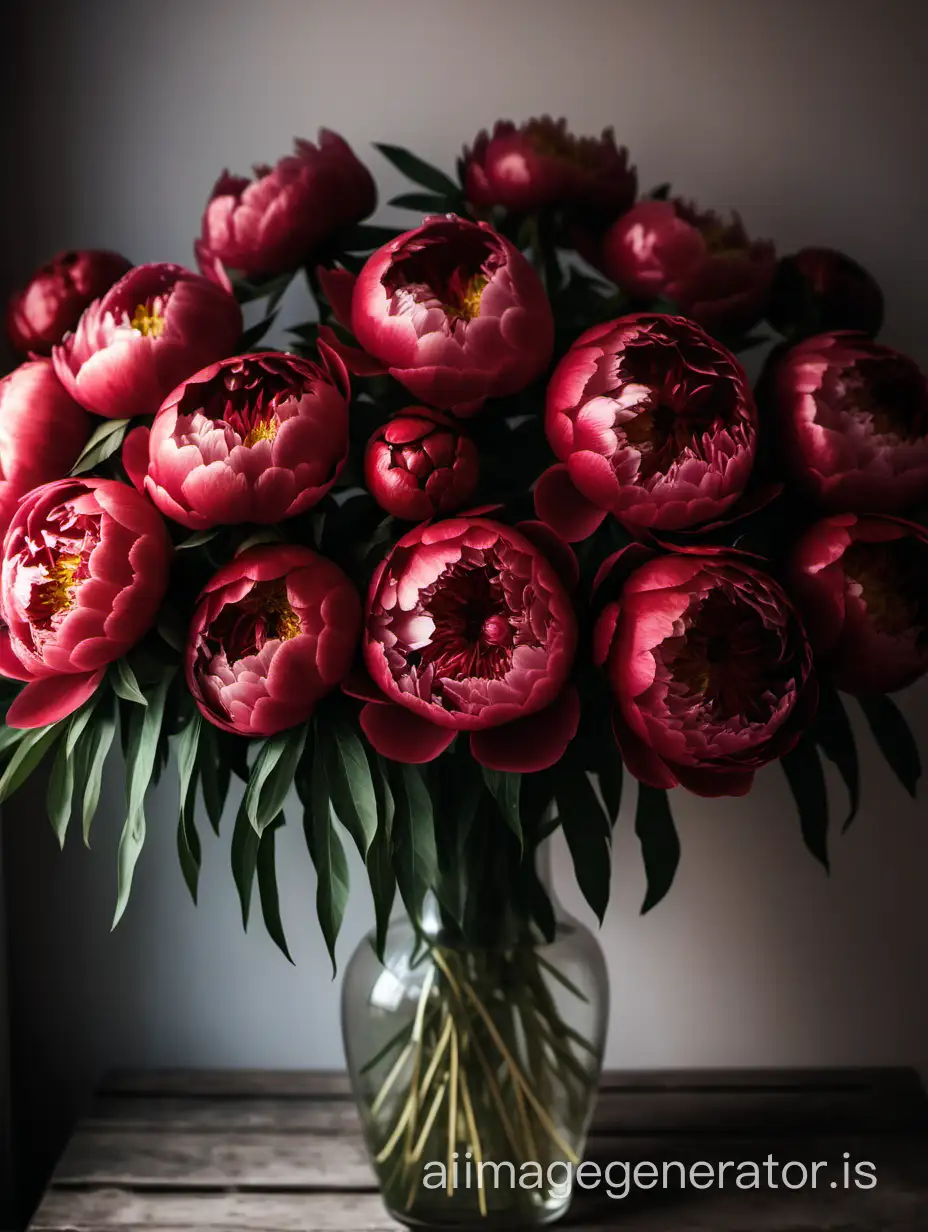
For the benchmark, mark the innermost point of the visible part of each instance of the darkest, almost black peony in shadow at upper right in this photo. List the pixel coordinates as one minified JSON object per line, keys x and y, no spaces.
{"x":819,"y":290}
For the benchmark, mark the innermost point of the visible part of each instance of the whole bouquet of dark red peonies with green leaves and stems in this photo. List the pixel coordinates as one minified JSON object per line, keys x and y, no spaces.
{"x":505,"y":519}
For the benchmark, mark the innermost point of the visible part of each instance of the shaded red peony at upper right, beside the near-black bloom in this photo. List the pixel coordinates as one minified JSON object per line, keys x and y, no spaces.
{"x":710,"y":268}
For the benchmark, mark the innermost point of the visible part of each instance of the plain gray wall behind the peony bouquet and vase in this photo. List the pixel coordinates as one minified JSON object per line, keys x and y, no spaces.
{"x":807,"y":116}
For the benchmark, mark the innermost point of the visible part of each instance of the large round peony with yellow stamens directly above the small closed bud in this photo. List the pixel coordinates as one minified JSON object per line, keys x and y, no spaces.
{"x":455,"y":312}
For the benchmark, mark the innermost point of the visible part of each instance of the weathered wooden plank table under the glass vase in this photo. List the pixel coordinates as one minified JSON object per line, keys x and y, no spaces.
{"x":283,"y":1151}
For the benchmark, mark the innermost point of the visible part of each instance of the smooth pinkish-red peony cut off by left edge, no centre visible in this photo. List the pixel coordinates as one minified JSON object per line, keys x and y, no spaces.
{"x":43,"y":432}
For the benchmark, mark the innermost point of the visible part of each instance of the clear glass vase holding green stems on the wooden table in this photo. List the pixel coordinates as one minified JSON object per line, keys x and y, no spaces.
{"x":476,"y":1070}
